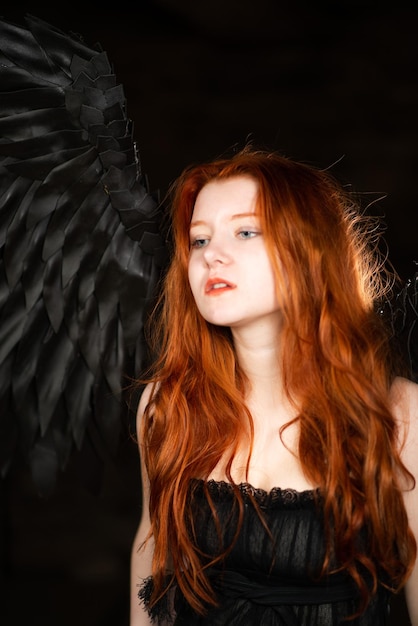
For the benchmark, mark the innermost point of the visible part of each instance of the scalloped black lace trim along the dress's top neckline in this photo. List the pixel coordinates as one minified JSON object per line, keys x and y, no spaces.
{"x":220,"y":489}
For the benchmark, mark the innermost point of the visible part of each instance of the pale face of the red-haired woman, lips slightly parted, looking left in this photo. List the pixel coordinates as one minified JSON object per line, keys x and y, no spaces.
{"x":230,"y":273}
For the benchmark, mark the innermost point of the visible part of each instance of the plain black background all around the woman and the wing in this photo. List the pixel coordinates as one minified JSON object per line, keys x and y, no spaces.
{"x":329,"y":83}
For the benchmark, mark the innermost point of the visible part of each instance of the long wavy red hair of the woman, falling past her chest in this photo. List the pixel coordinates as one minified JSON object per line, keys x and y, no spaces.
{"x":337,"y":371}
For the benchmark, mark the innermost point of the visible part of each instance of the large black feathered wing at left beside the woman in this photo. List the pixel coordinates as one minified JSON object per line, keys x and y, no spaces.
{"x":80,"y":250}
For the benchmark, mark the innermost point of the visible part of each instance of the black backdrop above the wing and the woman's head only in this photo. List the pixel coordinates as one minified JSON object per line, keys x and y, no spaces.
{"x":331,"y":83}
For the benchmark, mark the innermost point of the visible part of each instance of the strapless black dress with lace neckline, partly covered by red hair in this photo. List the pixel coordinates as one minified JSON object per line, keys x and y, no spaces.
{"x":270,"y":577}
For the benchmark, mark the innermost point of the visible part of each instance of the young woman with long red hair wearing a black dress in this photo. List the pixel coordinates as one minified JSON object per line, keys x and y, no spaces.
{"x":279,"y":446}
